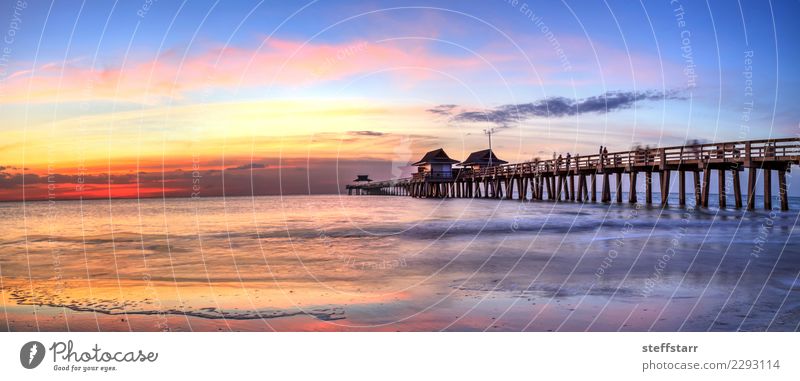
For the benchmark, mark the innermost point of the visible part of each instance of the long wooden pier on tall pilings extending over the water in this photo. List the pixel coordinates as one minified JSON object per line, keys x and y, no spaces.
{"x":577,"y":178}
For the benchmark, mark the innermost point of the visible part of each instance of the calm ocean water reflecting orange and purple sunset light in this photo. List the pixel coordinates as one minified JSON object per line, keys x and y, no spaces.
{"x":395,"y":263}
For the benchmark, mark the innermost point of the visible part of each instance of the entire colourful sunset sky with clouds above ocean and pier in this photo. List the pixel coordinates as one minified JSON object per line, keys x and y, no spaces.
{"x":168,"y":98}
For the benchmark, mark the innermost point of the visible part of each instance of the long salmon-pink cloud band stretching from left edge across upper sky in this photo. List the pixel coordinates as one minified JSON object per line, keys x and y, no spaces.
{"x":277,"y":62}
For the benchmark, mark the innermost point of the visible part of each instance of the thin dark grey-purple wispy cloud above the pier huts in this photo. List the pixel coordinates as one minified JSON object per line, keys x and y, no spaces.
{"x":557,"y":107}
